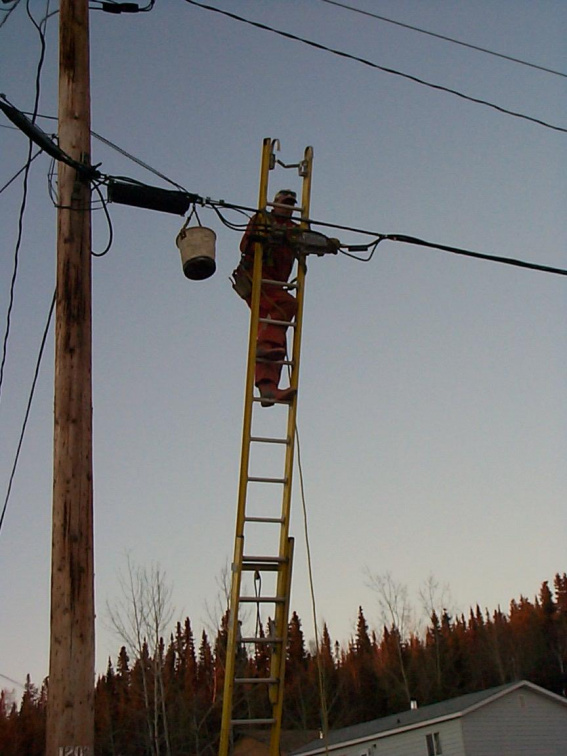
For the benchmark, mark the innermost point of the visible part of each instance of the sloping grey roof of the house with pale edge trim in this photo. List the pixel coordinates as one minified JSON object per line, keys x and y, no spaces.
{"x":449,"y":709}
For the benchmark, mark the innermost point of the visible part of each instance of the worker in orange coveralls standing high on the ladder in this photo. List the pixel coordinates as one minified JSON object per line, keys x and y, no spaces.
{"x":275,"y":302}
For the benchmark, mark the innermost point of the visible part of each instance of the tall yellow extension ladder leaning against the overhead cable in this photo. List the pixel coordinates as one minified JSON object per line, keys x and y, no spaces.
{"x":263,"y":547}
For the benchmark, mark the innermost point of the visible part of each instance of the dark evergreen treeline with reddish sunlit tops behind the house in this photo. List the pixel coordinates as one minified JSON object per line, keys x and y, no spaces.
{"x":169,"y":703}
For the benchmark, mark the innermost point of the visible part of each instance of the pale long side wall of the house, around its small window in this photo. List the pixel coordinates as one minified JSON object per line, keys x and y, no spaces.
{"x":411,"y":743}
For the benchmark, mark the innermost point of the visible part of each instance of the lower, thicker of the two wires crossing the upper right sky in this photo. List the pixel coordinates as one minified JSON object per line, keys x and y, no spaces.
{"x":369,"y":63}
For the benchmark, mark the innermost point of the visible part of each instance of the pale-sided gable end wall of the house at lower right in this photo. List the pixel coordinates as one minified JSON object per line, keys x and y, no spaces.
{"x":521,"y":723}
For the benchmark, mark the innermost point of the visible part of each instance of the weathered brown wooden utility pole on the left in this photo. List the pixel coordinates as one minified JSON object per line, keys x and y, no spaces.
{"x":70,"y":711}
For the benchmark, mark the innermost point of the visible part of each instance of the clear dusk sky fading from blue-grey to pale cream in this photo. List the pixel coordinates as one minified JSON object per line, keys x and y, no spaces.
{"x":432,"y":412}
